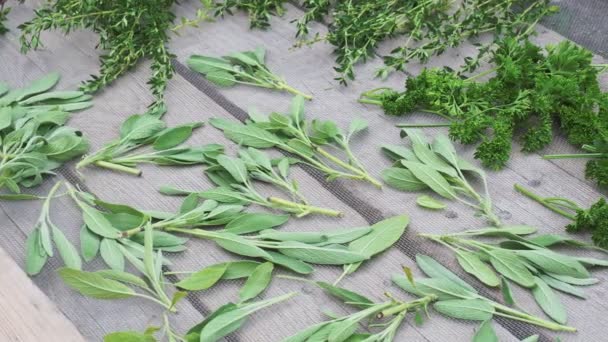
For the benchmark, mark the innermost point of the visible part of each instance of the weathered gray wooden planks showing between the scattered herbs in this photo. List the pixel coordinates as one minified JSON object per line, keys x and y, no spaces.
{"x":191,"y":99}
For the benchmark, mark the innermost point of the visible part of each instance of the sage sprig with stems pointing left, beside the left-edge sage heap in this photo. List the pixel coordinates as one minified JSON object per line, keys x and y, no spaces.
{"x":147,"y":129}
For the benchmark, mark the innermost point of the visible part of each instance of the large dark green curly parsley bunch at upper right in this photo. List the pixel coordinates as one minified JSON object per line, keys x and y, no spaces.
{"x":530,"y":92}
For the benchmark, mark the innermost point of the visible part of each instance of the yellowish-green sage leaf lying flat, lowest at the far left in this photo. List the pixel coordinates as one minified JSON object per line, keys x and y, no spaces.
{"x":94,"y":285}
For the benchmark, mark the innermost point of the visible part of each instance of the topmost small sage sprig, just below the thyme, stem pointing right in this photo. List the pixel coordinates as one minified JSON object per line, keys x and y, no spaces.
{"x":247,"y":67}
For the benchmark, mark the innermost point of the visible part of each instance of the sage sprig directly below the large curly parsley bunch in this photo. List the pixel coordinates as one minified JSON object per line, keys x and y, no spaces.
{"x":437,"y":167}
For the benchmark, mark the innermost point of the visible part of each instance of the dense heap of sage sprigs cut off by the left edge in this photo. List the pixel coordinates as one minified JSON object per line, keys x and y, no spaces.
{"x":33,"y":137}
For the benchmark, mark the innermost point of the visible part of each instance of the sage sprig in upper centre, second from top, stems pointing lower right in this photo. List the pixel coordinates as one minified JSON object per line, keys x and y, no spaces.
{"x":309,"y":141}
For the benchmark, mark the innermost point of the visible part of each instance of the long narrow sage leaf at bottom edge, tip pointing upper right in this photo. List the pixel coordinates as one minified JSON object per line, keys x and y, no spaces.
{"x":230,"y":321}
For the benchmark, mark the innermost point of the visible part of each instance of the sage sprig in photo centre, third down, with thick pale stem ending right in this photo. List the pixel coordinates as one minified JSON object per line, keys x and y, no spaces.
{"x":235,"y":178}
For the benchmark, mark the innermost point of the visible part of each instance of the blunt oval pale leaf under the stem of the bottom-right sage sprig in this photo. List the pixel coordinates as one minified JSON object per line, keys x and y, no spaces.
{"x":469,"y":309}
